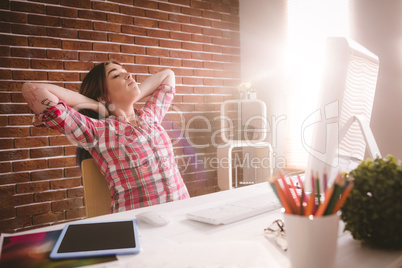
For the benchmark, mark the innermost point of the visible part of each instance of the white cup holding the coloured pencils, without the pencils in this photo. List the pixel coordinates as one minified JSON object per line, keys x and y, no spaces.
{"x":312,"y":242}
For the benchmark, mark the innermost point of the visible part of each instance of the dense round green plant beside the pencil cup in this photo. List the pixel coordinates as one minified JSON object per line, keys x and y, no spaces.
{"x":373,"y":210}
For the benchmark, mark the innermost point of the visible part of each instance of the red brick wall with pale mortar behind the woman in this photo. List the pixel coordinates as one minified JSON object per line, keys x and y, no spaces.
{"x":58,"y":41}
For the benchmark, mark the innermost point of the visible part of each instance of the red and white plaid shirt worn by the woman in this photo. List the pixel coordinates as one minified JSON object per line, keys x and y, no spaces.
{"x":137,"y":161}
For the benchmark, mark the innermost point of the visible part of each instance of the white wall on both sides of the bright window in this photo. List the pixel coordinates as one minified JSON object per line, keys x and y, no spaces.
{"x":375,"y":24}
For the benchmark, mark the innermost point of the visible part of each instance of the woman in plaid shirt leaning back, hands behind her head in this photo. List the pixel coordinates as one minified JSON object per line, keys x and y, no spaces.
{"x":130,"y":146}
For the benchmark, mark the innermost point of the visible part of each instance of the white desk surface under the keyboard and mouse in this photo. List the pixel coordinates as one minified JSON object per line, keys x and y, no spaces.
{"x":186,"y":243}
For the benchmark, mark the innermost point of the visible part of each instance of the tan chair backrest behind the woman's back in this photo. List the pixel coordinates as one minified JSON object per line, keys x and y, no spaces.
{"x":96,"y":190}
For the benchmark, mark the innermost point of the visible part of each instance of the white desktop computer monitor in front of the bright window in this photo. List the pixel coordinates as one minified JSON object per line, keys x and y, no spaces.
{"x":340,"y":125}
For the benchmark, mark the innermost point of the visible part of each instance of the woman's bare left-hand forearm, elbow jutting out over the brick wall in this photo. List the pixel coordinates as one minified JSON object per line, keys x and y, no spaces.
{"x":42,"y":96}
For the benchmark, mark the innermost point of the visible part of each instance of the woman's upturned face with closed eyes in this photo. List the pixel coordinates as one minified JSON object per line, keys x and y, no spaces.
{"x":121,"y":87}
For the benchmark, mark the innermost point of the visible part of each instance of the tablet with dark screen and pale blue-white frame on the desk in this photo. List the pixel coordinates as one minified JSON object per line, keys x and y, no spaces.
{"x":102,"y":238}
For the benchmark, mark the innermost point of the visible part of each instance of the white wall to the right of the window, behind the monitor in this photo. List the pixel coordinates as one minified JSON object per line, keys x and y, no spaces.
{"x":378,"y":26}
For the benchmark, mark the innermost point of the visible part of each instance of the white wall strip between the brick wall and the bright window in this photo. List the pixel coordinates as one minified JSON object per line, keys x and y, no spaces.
{"x":262,"y":28}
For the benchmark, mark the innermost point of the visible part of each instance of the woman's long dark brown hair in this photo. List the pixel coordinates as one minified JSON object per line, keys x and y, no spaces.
{"x":93,"y":86}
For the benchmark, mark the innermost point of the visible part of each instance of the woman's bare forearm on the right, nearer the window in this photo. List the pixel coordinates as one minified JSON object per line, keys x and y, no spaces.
{"x":148,"y":86}
